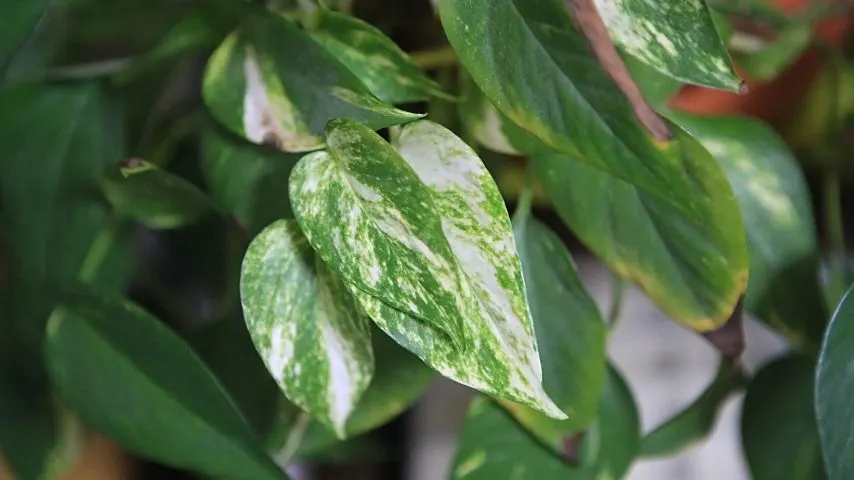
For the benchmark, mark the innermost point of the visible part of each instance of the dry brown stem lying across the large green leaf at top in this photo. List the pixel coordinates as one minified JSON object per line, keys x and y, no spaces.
{"x":591,"y":25}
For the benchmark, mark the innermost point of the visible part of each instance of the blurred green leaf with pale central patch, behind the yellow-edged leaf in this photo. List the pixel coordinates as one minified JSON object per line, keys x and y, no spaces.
{"x":772,"y":192}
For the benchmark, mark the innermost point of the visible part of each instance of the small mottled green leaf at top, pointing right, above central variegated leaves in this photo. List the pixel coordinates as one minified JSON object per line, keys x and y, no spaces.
{"x":386,"y":70}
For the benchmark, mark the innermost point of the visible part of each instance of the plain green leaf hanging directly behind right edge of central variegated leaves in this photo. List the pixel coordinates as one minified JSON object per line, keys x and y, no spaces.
{"x":569,"y":329}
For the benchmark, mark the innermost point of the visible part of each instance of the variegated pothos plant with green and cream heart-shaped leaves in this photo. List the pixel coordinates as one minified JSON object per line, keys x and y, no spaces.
{"x":356,"y":202}
